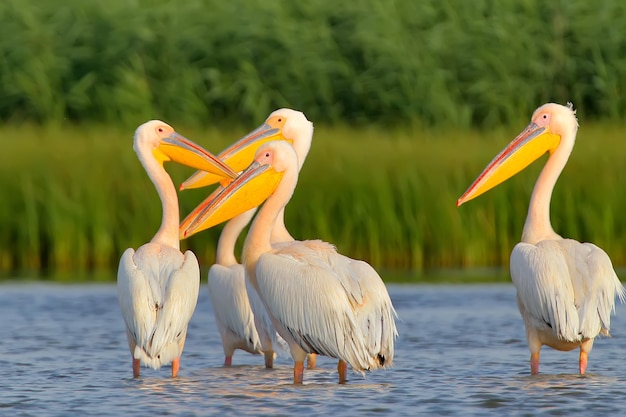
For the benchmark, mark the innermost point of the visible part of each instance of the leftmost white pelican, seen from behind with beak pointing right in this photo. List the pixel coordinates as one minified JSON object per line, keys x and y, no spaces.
{"x":158,"y":285}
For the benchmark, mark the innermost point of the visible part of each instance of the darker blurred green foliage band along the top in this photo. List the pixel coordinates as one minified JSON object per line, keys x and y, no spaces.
{"x":199,"y":62}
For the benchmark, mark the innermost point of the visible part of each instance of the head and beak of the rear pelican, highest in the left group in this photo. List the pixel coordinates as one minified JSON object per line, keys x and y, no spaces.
{"x":282,"y":124}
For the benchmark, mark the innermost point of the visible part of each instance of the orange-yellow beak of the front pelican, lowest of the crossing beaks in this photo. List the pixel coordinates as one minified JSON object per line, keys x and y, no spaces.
{"x":248,"y":190}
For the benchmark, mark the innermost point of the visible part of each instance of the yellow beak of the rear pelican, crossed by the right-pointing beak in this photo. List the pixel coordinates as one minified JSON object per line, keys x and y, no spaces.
{"x":241,"y":153}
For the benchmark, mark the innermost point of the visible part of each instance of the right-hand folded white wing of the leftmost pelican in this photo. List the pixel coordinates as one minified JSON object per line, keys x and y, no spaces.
{"x":180,"y":298}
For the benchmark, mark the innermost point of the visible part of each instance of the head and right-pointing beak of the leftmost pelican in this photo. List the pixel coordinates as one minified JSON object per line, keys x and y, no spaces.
{"x":168,"y":145}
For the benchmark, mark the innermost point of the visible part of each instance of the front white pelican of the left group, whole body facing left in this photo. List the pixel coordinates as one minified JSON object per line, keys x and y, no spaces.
{"x":314,"y":296}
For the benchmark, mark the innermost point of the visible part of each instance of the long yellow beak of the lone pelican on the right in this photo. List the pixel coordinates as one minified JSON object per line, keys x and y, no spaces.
{"x":527,"y":147}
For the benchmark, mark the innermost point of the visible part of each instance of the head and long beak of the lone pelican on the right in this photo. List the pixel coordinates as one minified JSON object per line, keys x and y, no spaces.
{"x":553,"y":126}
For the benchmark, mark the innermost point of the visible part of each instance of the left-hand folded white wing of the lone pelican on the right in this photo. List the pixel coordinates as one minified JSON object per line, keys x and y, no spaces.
{"x":544,"y":288}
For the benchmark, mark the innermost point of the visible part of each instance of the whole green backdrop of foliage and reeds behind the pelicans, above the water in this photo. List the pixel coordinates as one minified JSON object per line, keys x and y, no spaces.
{"x":410,"y":100}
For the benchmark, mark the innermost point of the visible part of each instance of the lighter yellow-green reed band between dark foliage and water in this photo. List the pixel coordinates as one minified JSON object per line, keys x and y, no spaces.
{"x":75,"y":197}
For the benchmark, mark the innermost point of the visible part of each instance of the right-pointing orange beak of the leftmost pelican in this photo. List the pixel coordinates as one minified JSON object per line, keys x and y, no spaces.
{"x":180,"y":149}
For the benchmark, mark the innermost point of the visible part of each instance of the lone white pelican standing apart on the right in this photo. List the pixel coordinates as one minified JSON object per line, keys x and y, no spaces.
{"x":565,"y":289}
